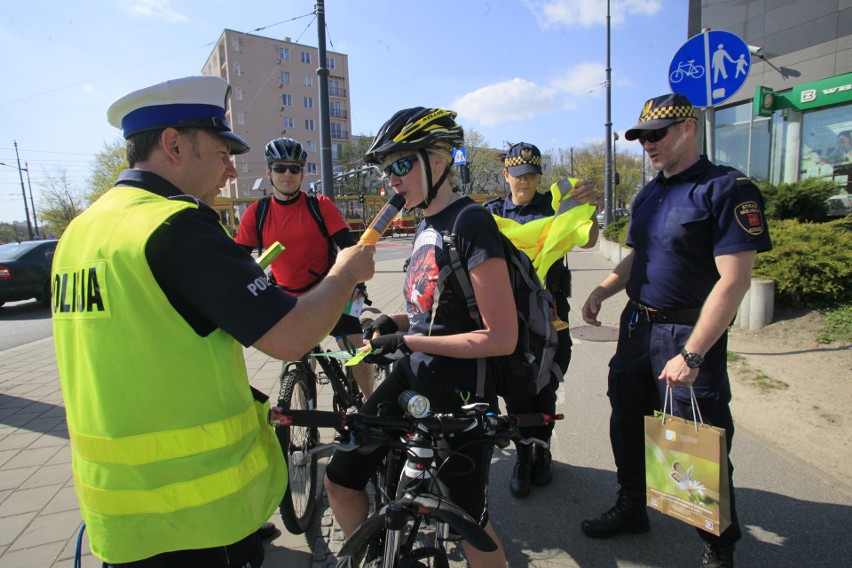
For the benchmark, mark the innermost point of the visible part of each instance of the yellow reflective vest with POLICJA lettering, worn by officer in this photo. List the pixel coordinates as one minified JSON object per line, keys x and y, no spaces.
{"x":169,"y":449}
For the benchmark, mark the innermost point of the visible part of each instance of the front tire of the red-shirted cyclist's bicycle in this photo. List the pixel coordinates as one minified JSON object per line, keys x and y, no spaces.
{"x":299,"y":502}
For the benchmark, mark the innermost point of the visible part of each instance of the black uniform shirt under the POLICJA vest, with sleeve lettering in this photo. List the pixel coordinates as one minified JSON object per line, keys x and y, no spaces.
{"x":206,"y":277}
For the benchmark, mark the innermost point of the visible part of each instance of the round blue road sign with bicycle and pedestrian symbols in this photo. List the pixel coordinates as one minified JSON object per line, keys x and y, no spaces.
{"x":710,"y":67}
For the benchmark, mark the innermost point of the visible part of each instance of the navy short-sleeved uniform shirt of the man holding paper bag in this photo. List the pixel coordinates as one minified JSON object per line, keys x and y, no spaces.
{"x":680,"y":224}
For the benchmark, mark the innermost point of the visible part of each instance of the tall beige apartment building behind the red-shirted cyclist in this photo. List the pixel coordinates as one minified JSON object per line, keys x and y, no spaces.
{"x":275,"y":93}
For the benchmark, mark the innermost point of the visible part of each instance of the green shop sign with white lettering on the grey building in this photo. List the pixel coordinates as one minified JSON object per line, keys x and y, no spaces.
{"x":827,"y":92}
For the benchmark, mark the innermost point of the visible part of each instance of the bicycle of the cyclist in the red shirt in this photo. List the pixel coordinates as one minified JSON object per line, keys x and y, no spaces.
{"x":299,"y":390}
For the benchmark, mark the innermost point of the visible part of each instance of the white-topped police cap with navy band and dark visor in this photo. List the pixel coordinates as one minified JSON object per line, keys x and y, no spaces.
{"x":189,"y":102}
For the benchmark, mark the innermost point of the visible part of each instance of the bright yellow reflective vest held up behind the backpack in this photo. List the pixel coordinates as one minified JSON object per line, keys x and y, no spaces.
{"x":548,"y":239}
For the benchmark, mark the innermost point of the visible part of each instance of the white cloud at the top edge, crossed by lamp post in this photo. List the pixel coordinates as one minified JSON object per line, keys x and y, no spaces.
{"x":587,"y":13}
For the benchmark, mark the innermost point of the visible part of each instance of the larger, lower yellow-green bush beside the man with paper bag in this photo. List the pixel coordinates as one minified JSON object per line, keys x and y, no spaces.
{"x":811,"y":263}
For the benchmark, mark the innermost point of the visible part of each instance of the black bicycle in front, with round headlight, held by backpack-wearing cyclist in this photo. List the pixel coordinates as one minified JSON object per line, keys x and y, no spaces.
{"x":411,"y":496}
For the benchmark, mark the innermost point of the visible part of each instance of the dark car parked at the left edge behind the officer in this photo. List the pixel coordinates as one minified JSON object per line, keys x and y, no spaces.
{"x":25,"y":271}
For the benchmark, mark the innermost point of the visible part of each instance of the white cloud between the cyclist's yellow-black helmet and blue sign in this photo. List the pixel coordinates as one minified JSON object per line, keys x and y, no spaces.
{"x":514,"y":101}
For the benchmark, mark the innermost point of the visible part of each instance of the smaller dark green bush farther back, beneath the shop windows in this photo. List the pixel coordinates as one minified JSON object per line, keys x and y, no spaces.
{"x":803,"y":200}
